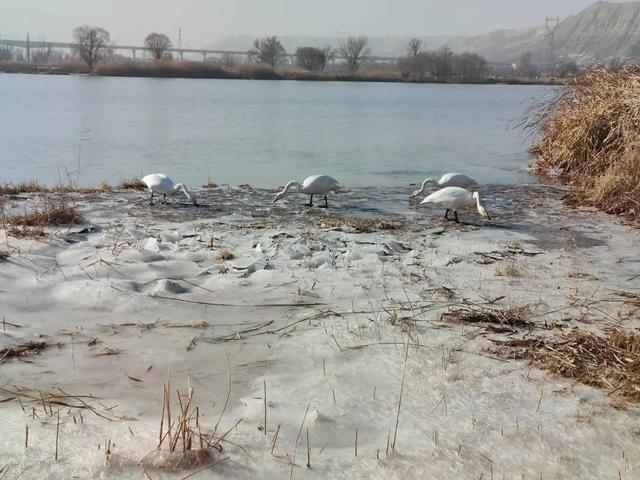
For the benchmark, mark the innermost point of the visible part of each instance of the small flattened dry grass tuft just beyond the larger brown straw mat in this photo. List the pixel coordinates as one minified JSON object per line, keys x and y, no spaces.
{"x":500,"y":319}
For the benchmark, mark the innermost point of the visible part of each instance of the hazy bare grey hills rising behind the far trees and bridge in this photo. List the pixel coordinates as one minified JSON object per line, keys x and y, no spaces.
{"x":600,"y":32}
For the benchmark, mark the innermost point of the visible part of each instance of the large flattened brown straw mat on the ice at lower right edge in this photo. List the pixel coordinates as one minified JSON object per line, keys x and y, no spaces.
{"x":611,"y":362}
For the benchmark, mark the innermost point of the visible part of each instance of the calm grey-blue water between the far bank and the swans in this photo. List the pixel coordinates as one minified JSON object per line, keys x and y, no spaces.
{"x":259,"y":132}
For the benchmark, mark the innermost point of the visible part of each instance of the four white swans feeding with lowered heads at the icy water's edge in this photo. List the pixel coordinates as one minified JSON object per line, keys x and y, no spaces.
{"x":452,"y":196}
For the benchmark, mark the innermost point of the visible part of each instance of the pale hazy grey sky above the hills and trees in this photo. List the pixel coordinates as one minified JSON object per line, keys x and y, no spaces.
{"x":204,"y":21}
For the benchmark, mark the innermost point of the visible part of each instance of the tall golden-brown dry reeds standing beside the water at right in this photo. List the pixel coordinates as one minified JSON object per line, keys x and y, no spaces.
{"x":590,"y":137}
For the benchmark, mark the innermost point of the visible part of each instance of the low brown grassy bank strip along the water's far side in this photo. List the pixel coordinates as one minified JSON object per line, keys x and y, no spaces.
{"x":197,"y":70}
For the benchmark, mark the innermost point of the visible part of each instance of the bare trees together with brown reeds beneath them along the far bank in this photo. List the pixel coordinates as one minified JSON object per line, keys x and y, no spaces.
{"x":350,"y":60}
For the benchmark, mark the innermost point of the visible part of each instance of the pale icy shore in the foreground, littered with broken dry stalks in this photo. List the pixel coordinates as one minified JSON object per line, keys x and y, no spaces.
{"x":333,"y":316}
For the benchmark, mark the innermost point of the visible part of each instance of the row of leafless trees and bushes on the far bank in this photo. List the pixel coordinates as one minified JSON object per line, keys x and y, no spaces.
{"x":93,"y":44}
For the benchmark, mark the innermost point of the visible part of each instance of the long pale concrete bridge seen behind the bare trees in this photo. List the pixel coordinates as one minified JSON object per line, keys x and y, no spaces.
{"x":33,"y":44}
